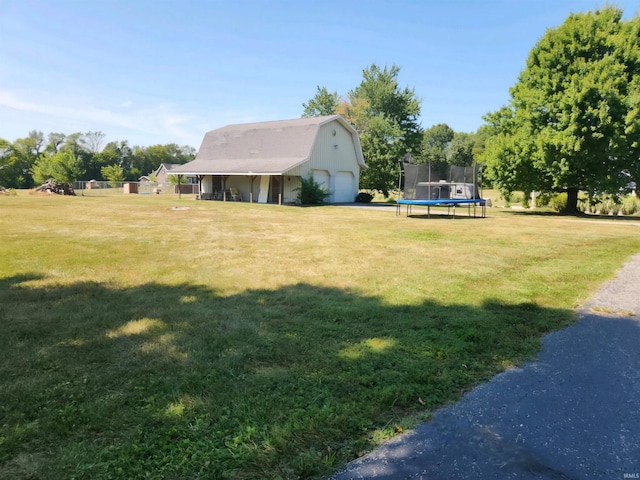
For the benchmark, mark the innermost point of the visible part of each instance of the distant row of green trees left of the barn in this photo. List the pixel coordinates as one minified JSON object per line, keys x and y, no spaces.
{"x":32,"y":160}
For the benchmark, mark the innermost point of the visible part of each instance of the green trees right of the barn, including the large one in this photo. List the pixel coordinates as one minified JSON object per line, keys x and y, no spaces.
{"x":572,"y":124}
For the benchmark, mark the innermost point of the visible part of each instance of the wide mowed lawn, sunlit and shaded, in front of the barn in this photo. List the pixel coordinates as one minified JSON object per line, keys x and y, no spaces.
{"x":156,"y":337}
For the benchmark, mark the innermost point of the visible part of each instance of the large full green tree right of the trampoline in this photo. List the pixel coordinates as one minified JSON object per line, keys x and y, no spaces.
{"x":573,"y":122}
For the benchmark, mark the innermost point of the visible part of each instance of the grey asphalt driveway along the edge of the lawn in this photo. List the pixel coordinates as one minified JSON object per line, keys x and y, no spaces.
{"x":574,"y":413}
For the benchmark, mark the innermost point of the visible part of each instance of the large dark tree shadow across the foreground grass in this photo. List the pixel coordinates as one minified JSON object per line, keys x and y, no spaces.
{"x":102,"y":381}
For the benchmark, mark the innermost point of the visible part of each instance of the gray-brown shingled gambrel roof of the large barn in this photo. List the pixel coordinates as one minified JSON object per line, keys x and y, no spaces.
{"x":265,"y":148}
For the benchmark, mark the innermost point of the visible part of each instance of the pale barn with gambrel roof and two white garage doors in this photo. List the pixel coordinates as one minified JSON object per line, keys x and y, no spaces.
{"x":264,"y":162}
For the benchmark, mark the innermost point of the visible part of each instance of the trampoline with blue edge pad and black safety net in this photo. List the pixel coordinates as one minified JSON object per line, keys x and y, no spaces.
{"x":446,"y":186}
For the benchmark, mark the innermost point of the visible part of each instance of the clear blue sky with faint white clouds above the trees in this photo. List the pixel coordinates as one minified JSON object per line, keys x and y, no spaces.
{"x":168,"y":71}
